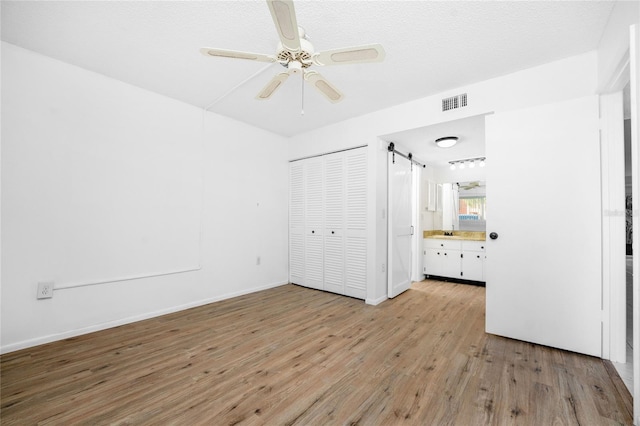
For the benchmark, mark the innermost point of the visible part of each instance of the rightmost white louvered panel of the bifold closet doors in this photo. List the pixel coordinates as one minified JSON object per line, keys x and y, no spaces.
{"x":356,"y":223}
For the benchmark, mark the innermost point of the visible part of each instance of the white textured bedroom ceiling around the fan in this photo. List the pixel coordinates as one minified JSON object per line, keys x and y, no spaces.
{"x":430,"y":47}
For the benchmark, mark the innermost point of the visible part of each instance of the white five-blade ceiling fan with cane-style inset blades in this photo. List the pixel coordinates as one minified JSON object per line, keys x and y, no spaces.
{"x":296,"y":54}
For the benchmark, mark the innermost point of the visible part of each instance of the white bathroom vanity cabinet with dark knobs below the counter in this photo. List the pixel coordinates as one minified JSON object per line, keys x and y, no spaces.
{"x":454,"y":258}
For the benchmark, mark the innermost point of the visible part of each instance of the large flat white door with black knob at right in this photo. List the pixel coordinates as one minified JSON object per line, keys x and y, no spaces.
{"x":543,"y":184}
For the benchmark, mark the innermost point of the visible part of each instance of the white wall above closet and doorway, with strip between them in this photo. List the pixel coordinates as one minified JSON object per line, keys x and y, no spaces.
{"x":561,"y":80}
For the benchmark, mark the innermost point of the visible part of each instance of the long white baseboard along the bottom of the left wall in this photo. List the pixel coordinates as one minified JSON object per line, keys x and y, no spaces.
{"x":110,"y":324}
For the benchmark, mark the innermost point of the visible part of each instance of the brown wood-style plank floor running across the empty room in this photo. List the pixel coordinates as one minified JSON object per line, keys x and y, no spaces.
{"x":292,"y":355}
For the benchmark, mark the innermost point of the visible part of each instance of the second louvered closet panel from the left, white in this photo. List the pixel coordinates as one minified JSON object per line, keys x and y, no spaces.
{"x":314,"y":227}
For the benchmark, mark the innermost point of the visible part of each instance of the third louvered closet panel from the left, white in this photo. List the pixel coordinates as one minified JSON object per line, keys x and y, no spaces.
{"x":334,"y":206}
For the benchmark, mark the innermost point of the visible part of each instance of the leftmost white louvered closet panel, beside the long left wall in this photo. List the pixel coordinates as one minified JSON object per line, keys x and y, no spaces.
{"x":296,"y":223}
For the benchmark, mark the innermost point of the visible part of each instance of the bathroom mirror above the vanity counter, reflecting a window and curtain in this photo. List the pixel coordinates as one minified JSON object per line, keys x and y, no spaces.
{"x":464,"y":206}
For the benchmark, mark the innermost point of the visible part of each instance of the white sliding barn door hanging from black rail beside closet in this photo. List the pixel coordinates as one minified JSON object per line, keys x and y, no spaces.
{"x":399,"y":225}
